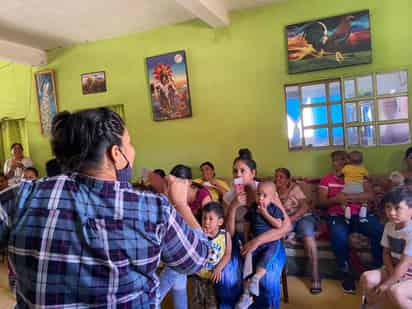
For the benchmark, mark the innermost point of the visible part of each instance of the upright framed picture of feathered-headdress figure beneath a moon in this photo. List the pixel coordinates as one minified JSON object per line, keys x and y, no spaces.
{"x":169,"y":86}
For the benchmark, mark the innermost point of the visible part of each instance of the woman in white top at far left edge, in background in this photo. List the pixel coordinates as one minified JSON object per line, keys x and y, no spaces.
{"x":13,"y":168}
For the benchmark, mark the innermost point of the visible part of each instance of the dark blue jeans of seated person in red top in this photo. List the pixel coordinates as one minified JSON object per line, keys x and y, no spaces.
{"x":339,"y":232}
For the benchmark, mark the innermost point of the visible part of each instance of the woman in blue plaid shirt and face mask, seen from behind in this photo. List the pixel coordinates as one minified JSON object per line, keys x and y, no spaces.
{"x":87,"y":238}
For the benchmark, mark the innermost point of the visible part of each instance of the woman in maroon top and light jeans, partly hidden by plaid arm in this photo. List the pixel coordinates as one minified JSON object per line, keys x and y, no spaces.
{"x":197,"y":197}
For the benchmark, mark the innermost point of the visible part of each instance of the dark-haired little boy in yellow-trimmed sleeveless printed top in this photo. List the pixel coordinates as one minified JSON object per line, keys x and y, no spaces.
{"x":203,"y":294}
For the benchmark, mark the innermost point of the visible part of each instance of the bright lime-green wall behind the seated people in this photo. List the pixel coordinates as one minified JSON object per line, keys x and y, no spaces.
{"x":236,"y":77}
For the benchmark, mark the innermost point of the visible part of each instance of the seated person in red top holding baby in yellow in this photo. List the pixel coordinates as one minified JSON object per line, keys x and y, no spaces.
{"x":331,"y":198}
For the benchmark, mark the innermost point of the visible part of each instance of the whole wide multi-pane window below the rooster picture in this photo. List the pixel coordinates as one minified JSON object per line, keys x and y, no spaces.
{"x":373,"y":110}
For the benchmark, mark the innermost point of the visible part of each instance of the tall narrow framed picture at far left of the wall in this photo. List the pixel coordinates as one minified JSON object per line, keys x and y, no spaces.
{"x":46,"y":99}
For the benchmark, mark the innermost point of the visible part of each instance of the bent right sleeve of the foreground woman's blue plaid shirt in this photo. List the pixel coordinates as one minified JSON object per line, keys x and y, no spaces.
{"x":184,"y":249}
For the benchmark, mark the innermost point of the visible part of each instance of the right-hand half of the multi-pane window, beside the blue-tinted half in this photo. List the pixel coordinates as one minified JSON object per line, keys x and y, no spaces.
{"x":376,"y":109}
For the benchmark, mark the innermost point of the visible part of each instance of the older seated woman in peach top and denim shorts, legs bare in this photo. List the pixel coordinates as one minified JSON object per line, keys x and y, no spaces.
{"x":303,"y":221}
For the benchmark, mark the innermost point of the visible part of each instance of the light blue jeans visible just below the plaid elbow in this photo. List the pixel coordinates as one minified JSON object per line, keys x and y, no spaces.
{"x":170,"y":279}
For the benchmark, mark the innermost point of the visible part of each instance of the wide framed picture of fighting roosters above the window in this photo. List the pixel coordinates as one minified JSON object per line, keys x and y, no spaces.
{"x":327,"y":43}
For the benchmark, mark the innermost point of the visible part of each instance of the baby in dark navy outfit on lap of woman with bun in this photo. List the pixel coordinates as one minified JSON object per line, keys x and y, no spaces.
{"x":263,"y":216}
